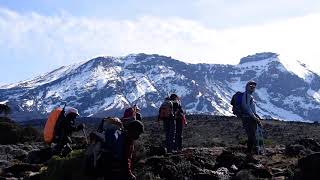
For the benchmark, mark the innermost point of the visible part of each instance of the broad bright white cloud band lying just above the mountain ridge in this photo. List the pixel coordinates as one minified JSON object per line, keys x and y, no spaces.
{"x":64,"y":39}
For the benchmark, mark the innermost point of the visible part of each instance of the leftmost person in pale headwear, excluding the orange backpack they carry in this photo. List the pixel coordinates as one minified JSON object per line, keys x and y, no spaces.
{"x":63,"y":131}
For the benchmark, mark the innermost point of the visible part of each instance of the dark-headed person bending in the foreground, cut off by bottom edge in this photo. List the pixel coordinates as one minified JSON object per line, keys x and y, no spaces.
{"x":119,"y":147}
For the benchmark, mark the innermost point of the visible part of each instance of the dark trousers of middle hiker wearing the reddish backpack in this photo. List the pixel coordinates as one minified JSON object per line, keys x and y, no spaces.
{"x":169,"y":128}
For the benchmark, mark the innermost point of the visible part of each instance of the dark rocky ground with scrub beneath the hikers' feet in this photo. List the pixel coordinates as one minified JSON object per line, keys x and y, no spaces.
{"x":213,"y":149}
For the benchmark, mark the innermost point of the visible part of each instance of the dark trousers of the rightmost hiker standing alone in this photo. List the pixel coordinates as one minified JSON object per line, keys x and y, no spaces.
{"x":250,"y":126}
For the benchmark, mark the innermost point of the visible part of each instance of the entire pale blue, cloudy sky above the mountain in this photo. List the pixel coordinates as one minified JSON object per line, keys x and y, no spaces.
{"x":37,"y":36}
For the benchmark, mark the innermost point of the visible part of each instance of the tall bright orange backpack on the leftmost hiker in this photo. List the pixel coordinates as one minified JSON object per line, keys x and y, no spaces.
{"x":49,"y":129}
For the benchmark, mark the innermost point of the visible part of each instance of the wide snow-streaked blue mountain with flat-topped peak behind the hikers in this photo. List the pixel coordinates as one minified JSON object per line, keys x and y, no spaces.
{"x":105,"y":86}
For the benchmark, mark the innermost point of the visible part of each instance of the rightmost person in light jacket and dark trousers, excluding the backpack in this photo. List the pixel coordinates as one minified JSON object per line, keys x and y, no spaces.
{"x":249,"y":117}
